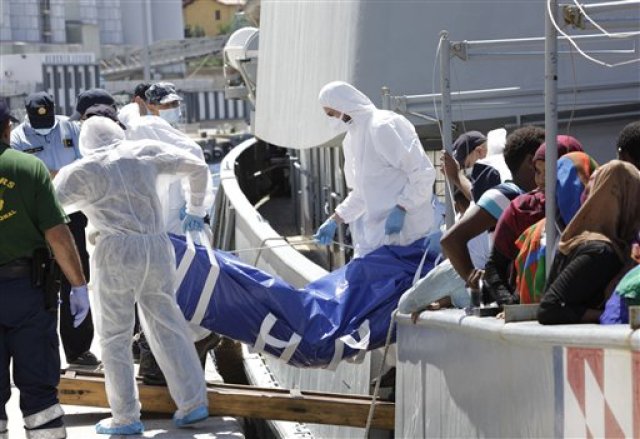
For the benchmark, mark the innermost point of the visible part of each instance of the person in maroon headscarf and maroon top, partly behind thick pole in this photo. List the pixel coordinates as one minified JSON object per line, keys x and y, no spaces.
{"x":522,"y":212}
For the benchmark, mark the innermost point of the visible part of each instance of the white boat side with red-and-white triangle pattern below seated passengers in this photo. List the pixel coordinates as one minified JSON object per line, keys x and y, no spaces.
{"x":460,"y":376}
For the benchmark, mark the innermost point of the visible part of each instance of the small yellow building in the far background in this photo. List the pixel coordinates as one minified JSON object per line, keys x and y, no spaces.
{"x":210,"y":17}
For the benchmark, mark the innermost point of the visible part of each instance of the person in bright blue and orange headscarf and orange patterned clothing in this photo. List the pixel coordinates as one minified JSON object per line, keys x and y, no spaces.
{"x":573,"y":173}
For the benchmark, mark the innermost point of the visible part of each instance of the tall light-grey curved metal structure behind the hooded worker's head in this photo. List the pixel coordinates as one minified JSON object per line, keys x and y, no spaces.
{"x":303,"y":45}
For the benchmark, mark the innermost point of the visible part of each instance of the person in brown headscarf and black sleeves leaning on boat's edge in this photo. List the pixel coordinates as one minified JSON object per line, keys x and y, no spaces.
{"x":595,"y":248}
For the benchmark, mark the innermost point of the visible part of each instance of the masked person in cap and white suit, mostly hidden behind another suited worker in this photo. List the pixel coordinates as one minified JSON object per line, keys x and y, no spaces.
{"x":156,"y":125}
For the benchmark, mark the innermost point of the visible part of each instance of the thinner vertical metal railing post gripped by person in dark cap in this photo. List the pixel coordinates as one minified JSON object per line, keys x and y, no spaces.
{"x":445,"y":89}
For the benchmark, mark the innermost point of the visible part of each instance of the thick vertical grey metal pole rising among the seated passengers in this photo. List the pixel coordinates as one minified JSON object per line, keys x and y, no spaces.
{"x":551,"y":128}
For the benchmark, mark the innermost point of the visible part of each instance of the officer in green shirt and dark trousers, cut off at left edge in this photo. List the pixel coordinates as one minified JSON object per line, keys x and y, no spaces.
{"x":31,"y":218}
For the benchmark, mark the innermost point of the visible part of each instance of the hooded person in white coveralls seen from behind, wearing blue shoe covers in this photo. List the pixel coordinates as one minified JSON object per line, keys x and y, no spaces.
{"x":134,"y":262}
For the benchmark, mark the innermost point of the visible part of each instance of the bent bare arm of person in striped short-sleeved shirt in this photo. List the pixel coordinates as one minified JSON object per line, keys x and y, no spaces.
{"x":454,"y":242}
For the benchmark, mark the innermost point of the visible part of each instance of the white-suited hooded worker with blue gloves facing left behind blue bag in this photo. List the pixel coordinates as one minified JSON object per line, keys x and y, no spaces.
{"x":386,"y":169}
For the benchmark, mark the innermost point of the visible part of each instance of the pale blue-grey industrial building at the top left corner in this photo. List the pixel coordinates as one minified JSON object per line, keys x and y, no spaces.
{"x":98,"y":26}
